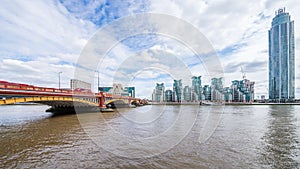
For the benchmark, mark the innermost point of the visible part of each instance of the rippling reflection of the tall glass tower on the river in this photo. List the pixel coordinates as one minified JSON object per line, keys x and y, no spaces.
{"x":281,"y":141}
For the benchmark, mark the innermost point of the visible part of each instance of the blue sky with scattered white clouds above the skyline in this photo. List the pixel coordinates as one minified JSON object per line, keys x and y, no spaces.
{"x":39,"y":39}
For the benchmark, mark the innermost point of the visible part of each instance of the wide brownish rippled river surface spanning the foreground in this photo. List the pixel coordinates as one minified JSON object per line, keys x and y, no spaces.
{"x":187,"y":136}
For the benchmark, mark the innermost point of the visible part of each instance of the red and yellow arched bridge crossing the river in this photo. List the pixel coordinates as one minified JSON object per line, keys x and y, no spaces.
{"x":62,"y":99}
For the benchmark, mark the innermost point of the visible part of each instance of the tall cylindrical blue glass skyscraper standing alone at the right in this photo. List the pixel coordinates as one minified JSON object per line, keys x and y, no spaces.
{"x":281,"y":58}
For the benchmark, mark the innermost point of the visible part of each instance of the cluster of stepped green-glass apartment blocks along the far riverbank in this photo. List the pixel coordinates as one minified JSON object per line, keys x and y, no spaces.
{"x":240,"y":91}
